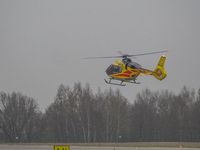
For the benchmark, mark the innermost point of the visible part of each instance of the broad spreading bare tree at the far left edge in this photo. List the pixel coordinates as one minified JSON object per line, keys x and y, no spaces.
{"x":17,"y":114}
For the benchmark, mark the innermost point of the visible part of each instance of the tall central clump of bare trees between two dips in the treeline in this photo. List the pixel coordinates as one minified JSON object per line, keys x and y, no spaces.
{"x":77,"y":115}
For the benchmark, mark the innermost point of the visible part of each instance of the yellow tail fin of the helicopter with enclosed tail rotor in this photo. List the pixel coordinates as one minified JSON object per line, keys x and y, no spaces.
{"x":160,"y":72}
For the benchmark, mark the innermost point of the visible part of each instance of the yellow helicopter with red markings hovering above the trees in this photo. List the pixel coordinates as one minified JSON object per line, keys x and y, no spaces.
{"x":127,"y":71}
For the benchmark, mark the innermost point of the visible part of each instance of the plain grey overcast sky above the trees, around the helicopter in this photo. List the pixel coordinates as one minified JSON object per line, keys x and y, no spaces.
{"x":42,"y":41}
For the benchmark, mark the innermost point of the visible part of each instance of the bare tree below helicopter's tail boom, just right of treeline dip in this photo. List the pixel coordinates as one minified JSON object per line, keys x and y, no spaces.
{"x":145,"y":113}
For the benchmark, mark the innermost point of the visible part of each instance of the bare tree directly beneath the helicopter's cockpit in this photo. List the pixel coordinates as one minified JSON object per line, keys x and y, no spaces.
{"x":115,"y":111}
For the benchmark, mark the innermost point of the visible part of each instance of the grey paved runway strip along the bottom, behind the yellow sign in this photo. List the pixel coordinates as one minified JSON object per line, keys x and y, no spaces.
{"x":37,"y":147}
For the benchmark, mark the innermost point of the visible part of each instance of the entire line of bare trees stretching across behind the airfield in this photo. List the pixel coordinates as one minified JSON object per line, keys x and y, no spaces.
{"x":79,"y":115}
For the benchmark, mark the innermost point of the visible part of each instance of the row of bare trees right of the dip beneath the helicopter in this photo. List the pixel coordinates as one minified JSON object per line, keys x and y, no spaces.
{"x":163,"y":116}
